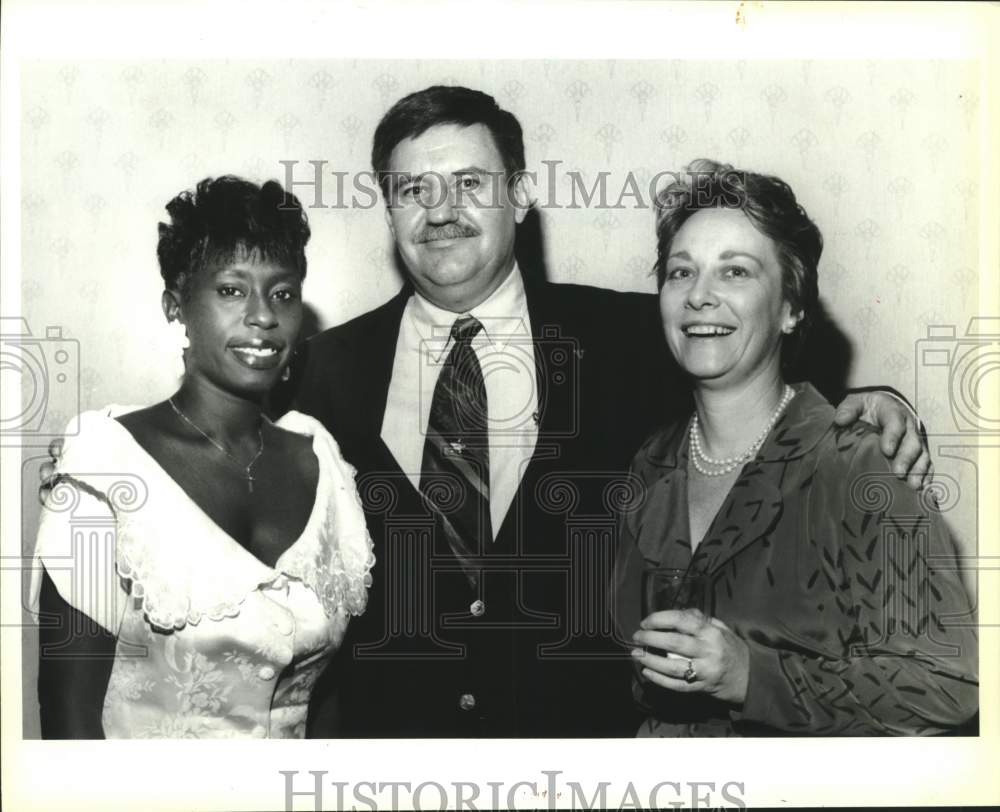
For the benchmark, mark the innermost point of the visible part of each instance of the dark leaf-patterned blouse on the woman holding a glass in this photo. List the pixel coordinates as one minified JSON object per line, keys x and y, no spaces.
{"x":840,"y":578}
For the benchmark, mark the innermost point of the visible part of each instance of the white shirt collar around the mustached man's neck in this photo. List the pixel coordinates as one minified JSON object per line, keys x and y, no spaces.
{"x":503,"y":314}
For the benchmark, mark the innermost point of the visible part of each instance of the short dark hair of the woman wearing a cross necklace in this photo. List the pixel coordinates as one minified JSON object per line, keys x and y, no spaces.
{"x":227,"y":217}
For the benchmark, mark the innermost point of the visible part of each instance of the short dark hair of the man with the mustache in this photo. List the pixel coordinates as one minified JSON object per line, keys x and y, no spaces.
{"x":413,"y":115}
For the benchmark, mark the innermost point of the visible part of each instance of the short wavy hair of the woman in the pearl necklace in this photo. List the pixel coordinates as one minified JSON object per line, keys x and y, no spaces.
{"x":771,"y":206}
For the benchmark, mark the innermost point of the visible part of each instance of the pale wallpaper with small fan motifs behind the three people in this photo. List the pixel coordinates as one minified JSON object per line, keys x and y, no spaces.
{"x":881,"y":154}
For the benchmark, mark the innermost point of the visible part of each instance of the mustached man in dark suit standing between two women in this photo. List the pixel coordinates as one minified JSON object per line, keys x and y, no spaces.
{"x":491,"y":417}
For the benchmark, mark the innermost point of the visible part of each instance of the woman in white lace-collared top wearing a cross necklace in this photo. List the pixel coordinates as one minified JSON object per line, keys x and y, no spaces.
{"x":198,"y":564}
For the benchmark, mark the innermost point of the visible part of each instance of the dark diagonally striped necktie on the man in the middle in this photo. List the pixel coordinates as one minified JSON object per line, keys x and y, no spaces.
{"x":455,"y":473}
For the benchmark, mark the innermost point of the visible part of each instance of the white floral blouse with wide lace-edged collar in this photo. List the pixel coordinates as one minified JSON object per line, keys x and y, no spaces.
{"x":210,"y":641}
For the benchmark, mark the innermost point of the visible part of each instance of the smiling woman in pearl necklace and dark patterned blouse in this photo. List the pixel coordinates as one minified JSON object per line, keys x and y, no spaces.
{"x":834,"y":605}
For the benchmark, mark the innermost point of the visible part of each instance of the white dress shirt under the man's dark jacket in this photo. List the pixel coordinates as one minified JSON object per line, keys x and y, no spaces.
{"x":507,"y":357}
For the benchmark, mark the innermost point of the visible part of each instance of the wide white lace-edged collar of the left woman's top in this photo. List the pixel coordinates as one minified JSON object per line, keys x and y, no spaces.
{"x":181,"y":564}
